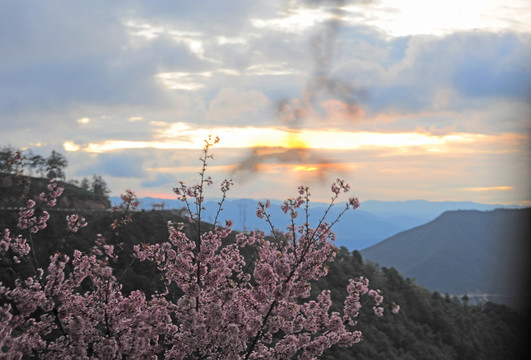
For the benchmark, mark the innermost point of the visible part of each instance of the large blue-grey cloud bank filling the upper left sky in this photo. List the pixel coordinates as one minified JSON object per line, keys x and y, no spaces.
{"x":69,"y":54}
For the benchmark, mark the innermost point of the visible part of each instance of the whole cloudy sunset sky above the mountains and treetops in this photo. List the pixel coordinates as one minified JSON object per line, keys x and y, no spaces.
{"x":404,"y":99}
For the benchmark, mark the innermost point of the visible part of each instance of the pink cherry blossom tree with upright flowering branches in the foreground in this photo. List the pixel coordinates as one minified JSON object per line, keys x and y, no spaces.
{"x":246,"y":296}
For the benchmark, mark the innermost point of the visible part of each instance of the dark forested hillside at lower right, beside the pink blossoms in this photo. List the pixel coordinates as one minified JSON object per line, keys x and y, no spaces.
{"x":430,"y":325}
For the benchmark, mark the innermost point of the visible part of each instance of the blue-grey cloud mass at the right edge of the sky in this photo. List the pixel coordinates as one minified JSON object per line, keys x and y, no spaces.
{"x":407,"y":74}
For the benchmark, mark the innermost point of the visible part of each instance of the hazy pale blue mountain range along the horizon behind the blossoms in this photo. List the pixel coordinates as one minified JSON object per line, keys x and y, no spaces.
{"x":372,"y":223}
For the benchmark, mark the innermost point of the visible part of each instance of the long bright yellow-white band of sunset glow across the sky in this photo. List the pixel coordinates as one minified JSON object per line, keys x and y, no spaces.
{"x":187,"y":137}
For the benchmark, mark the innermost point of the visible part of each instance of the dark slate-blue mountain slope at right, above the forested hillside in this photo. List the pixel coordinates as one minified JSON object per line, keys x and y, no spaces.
{"x":464,"y":252}
